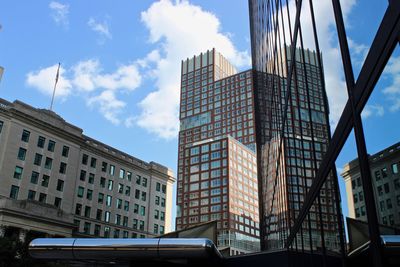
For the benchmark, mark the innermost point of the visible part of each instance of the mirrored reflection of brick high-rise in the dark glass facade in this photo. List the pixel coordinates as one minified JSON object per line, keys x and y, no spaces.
{"x":292,"y":126}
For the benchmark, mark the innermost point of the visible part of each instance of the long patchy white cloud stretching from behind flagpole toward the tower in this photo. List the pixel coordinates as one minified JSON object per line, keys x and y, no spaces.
{"x":87,"y":79}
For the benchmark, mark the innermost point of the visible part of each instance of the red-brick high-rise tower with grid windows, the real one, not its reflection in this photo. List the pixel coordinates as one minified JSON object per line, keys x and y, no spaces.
{"x":217,"y":173}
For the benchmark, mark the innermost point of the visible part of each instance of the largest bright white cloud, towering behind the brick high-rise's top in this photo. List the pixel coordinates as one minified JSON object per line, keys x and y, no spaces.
{"x":180,"y":30}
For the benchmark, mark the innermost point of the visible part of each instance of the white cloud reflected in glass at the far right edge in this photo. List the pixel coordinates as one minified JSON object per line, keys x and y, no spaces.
{"x":393,"y":90}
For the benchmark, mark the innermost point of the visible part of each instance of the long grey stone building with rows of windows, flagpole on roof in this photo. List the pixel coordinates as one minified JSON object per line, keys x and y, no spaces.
{"x":59,"y":182}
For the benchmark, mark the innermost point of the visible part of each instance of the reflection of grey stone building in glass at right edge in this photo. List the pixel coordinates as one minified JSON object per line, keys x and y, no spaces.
{"x":386,"y":183}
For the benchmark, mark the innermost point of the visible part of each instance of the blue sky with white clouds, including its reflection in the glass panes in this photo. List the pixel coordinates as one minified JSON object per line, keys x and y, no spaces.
{"x":120,"y":65}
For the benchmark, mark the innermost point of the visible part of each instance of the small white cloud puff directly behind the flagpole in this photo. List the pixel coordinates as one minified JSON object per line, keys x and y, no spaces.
{"x":44,"y":80}
